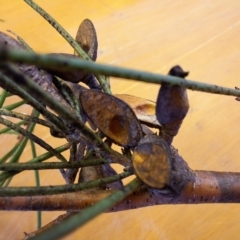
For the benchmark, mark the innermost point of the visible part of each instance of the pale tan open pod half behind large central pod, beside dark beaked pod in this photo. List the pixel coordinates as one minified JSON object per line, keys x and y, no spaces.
{"x":143,"y":108}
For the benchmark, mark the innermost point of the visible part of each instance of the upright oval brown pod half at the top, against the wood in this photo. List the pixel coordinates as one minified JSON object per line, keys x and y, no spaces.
{"x":87,"y":38}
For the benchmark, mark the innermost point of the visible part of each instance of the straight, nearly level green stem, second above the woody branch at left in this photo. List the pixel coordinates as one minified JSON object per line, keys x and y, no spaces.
{"x":51,"y":165}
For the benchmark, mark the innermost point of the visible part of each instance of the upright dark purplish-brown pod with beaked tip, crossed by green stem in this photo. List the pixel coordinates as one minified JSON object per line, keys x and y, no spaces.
{"x":172,"y":105}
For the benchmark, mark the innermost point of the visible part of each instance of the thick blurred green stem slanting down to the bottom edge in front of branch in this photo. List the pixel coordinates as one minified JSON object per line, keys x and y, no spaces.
{"x":79,"y":219}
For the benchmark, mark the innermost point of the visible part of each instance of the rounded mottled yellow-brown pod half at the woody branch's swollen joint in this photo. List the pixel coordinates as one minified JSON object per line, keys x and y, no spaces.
{"x":152,"y":161}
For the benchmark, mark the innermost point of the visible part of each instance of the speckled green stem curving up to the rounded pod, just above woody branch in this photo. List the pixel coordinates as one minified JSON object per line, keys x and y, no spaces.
{"x":34,"y":191}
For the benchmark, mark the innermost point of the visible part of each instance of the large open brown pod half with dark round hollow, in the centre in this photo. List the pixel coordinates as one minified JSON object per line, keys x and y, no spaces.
{"x":112,"y":116}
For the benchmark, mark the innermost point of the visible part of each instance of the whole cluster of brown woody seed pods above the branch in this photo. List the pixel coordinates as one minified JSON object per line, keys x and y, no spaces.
{"x":120,"y":118}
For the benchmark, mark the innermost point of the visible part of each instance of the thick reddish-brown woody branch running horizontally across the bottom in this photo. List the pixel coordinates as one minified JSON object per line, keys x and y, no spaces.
{"x":205,"y":187}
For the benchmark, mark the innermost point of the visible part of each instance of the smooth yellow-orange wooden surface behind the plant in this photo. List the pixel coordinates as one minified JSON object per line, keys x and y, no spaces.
{"x":152,"y":35}
